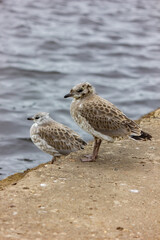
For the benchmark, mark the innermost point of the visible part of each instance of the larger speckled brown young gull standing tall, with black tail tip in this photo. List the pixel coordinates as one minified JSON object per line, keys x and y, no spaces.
{"x":101,"y":118}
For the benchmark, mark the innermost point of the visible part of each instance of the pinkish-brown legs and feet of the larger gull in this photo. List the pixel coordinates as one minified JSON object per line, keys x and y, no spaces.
{"x":92,"y":158}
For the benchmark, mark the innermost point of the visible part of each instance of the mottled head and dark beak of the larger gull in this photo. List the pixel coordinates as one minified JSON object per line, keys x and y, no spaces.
{"x":81,"y":90}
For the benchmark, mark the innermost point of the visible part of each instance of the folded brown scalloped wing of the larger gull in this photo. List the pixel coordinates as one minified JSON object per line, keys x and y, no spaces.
{"x":107,"y":119}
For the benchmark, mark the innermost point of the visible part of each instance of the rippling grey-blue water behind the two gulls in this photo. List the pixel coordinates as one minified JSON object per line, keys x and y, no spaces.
{"x":48,"y":46}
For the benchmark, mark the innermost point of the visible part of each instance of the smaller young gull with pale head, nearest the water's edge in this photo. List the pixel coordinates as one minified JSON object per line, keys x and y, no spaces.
{"x":52,"y":137}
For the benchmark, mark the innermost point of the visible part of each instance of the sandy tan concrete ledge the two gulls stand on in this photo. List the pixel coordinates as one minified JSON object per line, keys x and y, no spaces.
{"x":117,"y":197}
